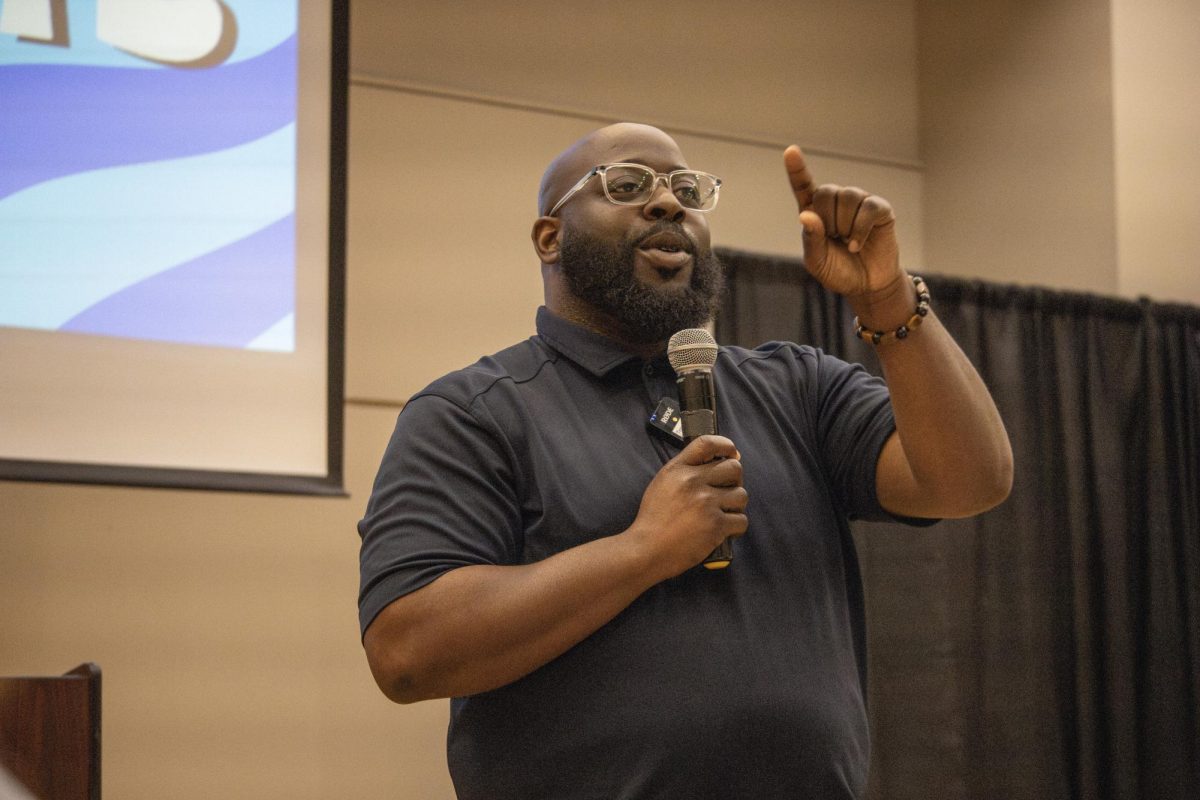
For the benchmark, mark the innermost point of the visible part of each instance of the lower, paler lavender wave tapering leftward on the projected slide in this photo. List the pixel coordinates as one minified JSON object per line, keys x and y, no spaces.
{"x":227,"y":298}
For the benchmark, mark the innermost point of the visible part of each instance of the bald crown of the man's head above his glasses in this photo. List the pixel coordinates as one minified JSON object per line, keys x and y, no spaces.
{"x":623,"y":142}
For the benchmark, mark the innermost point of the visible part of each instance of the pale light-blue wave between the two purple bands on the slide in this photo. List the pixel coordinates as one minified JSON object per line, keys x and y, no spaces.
{"x":70,"y":243}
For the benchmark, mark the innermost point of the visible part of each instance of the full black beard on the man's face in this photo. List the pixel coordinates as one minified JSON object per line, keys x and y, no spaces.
{"x":601,"y":273}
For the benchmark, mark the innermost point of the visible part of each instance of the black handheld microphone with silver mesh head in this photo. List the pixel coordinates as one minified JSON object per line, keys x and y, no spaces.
{"x":693,"y":353}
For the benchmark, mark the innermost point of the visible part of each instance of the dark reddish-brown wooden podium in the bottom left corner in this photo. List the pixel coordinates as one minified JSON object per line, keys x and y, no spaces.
{"x":50,"y":733}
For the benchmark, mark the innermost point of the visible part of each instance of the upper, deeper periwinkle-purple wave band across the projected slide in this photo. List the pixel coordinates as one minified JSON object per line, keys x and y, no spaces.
{"x":62,"y":119}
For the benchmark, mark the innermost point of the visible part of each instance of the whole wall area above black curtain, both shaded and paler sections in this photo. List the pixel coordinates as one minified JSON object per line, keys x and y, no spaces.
{"x":1059,"y":142}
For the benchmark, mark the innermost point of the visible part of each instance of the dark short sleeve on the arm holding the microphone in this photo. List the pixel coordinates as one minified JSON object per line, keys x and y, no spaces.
{"x":443,"y":498}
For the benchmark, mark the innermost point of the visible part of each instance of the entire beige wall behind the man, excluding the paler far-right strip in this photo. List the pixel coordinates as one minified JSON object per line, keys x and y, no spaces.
{"x":226,"y":623}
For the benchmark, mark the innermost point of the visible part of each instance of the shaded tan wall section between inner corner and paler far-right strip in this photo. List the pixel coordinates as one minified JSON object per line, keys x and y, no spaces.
{"x":1017,"y":140}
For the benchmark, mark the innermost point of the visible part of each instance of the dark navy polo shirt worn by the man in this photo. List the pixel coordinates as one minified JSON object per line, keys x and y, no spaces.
{"x":741,"y":683}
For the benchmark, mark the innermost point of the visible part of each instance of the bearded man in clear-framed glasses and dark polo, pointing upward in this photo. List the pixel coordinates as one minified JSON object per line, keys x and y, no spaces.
{"x":531,"y":549}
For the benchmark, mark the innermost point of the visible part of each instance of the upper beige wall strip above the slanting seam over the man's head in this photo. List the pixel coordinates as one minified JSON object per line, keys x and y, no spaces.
{"x":772,"y":70}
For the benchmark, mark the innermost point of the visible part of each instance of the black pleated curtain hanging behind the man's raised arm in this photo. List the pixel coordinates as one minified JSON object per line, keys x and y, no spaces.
{"x":1049,"y":648}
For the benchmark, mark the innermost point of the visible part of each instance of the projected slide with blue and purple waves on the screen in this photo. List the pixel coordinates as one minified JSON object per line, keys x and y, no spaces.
{"x":148,"y":170}
